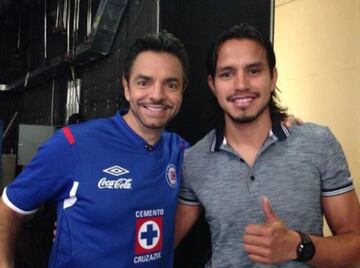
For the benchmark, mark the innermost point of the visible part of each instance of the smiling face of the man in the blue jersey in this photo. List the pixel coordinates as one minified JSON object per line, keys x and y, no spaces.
{"x":154,"y":91}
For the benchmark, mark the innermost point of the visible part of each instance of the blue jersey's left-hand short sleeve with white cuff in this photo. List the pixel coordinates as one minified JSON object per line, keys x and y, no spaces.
{"x":47,"y":177}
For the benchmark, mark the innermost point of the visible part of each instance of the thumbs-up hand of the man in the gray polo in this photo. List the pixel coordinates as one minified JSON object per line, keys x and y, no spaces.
{"x":271,"y":242}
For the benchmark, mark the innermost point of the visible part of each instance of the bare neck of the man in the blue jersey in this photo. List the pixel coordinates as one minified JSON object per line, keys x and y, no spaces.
{"x":151,"y":136}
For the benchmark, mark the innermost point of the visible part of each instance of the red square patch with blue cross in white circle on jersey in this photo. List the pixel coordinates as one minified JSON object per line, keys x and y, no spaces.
{"x":148,"y":235}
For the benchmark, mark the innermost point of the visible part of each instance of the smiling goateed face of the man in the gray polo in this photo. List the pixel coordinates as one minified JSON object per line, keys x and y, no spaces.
{"x":243,"y":82}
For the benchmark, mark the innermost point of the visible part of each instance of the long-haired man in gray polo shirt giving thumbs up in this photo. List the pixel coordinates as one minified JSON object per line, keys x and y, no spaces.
{"x":265,"y":188}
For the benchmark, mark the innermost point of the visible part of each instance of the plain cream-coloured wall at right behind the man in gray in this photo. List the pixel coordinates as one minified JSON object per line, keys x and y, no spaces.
{"x":317,"y":43}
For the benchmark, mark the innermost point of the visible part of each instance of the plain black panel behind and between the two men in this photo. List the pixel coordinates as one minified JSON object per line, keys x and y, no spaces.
{"x":197,"y":23}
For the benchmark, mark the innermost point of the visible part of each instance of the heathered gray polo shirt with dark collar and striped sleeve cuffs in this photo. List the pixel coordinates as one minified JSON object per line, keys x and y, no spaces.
{"x":294,"y":169}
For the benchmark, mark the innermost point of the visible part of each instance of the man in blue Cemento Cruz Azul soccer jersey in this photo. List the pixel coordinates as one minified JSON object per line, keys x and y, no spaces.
{"x":115,"y":181}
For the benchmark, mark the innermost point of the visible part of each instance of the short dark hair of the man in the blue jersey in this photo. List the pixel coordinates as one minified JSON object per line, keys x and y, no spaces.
{"x":159,"y":42}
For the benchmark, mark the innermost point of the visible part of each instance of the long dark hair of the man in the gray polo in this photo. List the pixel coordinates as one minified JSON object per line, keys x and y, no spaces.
{"x":246,"y":31}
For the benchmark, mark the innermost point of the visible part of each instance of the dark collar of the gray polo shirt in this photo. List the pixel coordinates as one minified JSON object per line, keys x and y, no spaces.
{"x":278,"y":132}
